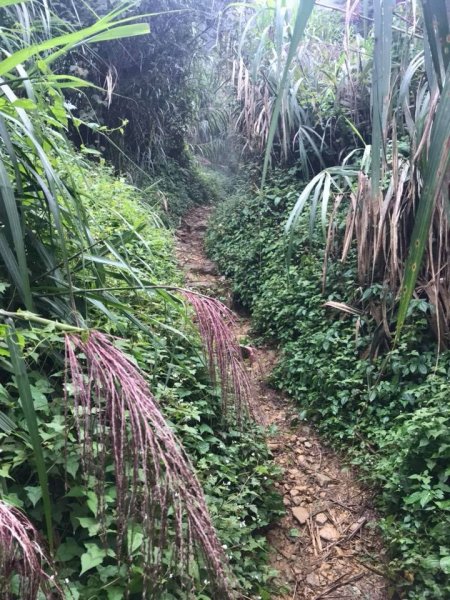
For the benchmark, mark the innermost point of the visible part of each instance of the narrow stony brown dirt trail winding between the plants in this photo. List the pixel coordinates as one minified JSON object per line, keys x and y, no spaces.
{"x":336,"y":553}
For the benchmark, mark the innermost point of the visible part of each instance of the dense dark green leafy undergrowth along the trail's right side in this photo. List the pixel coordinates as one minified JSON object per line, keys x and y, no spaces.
{"x":389,"y":414}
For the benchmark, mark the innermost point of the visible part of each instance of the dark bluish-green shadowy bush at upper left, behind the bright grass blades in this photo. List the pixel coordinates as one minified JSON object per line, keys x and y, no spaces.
{"x":151,"y":84}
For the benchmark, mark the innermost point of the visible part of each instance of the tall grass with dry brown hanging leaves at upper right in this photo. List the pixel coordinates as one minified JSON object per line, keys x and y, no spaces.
{"x":392,"y":190}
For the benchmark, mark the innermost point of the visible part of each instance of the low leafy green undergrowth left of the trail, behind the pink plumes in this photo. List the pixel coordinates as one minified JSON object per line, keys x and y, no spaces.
{"x":232,"y":463}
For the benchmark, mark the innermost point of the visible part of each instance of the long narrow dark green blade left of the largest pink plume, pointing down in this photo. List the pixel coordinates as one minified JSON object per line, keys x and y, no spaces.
{"x":26,"y":400}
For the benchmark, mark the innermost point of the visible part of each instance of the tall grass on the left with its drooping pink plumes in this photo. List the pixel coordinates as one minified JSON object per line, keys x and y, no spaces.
{"x":59,"y":276}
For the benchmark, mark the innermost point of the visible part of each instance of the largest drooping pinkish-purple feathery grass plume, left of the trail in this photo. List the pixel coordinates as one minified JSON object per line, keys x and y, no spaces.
{"x":157,"y":488}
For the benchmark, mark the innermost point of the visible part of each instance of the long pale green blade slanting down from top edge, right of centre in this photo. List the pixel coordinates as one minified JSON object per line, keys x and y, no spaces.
{"x":304,"y":11}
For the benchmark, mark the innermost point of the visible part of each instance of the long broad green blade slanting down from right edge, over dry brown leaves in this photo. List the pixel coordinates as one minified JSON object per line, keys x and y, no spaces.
{"x":437,"y":168}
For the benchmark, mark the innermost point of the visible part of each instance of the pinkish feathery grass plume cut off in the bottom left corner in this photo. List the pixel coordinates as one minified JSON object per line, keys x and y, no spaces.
{"x":21,"y":554}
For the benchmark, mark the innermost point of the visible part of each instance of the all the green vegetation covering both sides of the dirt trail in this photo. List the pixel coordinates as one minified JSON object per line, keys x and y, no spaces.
{"x":89,"y":288}
